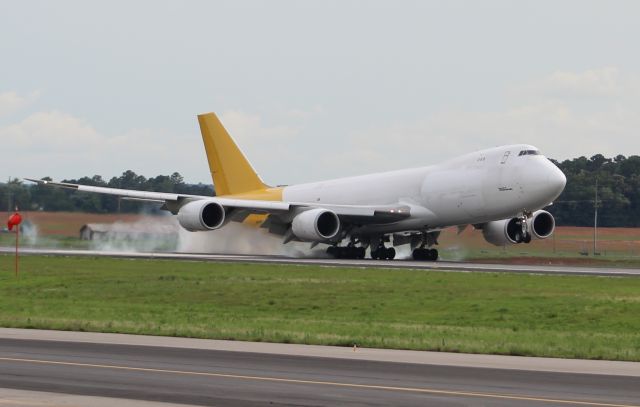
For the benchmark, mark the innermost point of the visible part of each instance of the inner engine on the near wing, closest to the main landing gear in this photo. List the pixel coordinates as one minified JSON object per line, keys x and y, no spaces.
{"x":316,"y":225}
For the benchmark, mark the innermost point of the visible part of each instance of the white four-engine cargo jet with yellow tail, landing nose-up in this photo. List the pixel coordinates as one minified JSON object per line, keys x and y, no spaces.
{"x":500,"y":190}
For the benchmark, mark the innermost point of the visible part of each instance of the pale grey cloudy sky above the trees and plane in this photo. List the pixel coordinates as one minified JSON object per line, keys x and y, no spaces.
{"x":311,"y":90}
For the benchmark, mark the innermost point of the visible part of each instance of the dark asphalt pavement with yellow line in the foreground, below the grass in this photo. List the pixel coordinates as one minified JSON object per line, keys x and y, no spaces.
{"x":200,"y":372}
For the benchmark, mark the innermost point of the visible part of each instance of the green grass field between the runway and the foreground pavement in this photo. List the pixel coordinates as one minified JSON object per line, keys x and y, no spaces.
{"x":514,"y":314}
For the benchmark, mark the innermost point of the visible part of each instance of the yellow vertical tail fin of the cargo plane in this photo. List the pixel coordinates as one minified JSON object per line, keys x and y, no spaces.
{"x":230,"y":170}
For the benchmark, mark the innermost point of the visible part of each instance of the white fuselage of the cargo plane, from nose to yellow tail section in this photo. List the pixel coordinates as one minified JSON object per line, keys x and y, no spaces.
{"x":487,"y":185}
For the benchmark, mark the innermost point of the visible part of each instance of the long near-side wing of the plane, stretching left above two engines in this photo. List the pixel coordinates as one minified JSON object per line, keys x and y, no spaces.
{"x":361,"y":214}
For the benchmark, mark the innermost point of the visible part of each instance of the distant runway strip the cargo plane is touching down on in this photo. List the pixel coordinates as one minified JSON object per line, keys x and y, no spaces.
{"x":328,"y":262}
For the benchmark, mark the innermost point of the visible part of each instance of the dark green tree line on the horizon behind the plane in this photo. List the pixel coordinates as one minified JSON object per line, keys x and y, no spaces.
{"x":618,"y":181}
